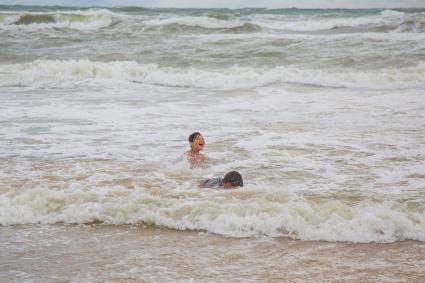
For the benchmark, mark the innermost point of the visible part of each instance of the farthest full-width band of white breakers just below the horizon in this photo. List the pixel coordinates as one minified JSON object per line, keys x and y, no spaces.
{"x":92,"y":19}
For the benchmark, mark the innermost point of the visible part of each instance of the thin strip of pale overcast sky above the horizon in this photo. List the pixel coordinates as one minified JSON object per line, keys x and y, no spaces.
{"x":229,"y":3}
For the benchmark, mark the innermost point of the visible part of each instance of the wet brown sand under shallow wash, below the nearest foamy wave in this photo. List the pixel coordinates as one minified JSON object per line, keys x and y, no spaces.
{"x":99,"y":253}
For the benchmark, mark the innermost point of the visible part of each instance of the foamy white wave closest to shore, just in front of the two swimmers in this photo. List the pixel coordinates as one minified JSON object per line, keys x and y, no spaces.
{"x":244,"y":213}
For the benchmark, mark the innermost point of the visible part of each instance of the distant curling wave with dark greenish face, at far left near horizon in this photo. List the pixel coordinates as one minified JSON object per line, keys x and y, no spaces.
{"x":78,"y":20}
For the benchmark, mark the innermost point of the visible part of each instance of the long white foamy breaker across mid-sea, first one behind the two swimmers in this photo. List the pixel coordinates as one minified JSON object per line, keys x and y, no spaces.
{"x":57,"y":73}
